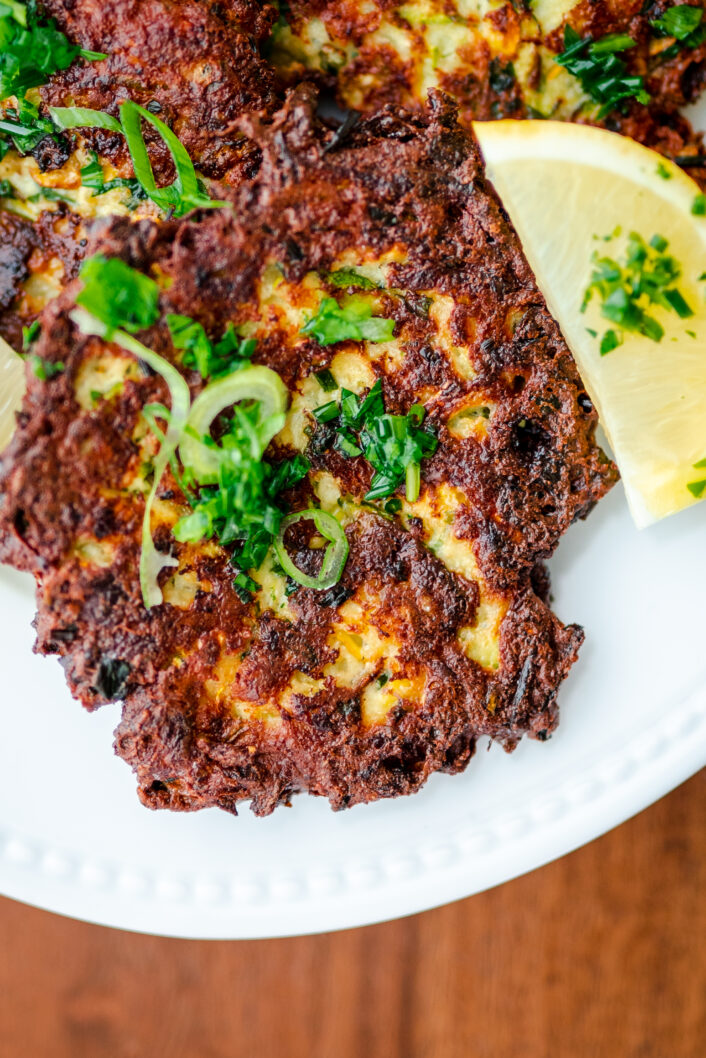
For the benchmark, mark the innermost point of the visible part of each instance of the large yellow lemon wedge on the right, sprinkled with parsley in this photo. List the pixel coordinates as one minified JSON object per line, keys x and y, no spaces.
{"x":574,"y":192}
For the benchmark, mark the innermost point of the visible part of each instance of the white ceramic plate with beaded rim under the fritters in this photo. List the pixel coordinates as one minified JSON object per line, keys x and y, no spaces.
{"x":75,"y":840}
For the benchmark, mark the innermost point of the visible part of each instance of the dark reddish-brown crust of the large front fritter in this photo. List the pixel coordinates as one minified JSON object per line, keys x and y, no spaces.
{"x":401,"y":180}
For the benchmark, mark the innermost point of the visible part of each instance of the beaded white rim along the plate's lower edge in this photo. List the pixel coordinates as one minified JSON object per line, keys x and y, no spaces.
{"x":612,"y":791}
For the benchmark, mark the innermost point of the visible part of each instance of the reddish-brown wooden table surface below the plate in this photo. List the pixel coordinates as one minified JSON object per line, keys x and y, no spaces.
{"x":600,"y":956}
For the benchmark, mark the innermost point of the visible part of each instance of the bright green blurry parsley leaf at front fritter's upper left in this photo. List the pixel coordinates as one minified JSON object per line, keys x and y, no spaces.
{"x":118,"y":295}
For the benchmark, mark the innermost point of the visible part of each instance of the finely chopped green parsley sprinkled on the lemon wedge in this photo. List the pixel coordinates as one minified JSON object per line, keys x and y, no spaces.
{"x":627,"y":290}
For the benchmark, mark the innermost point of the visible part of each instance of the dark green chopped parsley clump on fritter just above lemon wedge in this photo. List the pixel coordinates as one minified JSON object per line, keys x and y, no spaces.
{"x":603,"y":75}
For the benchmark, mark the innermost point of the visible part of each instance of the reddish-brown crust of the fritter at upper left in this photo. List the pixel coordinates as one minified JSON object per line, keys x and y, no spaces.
{"x":195,"y":65}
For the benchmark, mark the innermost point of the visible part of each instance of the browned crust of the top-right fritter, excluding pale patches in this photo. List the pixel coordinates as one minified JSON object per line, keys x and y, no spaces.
{"x":374,"y":74}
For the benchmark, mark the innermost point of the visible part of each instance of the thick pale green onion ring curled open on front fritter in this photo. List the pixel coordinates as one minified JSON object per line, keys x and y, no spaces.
{"x":257,"y":384}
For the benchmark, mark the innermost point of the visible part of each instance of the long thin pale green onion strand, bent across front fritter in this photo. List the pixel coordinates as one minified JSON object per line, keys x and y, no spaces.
{"x":152,"y":561}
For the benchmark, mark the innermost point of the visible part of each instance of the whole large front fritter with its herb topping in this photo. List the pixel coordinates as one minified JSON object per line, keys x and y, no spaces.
{"x":436,"y":421}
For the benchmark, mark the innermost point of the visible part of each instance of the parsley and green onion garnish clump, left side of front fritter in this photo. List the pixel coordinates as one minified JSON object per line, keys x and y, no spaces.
{"x":232,"y":489}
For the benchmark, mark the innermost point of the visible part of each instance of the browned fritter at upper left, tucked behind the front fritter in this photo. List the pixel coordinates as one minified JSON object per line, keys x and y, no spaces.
{"x":196,"y":66}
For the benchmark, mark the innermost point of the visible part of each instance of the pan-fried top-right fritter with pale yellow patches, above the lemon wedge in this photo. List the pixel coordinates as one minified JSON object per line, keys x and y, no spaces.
{"x":496,"y":58}
